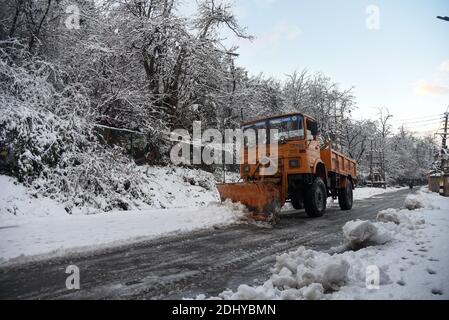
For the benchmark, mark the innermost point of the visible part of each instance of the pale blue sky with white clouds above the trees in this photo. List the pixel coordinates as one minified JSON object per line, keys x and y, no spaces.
{"x":403,"y":65}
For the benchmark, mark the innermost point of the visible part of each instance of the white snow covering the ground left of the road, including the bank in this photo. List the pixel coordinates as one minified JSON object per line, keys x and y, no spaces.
{"x":40,"y":226}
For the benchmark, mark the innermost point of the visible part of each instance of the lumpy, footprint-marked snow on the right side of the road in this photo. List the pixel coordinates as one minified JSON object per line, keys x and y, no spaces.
{"x":408,"y":248}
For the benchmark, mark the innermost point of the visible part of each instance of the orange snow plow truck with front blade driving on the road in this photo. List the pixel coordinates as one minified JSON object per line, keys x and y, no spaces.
{"x":306,"y":175}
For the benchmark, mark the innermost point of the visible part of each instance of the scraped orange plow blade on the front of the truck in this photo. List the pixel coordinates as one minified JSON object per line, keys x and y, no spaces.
{"x":263,"y":199}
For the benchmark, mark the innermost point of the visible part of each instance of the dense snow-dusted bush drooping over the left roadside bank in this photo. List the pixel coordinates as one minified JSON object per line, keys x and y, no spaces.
{"x":63,"y":159}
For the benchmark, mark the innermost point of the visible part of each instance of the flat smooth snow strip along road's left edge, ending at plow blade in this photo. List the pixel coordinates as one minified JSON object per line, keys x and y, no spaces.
{"x":55,"y":236}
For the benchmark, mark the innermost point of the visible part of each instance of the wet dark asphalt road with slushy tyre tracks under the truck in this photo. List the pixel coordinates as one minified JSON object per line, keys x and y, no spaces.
{"x":185,"y":265}
